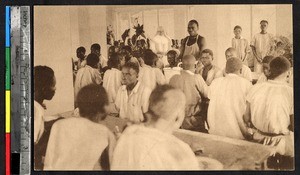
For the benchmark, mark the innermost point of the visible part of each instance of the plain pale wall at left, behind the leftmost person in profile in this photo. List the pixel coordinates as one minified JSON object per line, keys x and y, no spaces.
{"x":58,"y":31}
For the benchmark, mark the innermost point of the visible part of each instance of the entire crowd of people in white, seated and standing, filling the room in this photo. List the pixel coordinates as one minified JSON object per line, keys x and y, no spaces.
{"x":156,"y":98}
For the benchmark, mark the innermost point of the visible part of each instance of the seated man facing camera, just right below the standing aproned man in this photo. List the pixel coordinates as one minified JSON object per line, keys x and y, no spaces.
{"x":209,"y":72}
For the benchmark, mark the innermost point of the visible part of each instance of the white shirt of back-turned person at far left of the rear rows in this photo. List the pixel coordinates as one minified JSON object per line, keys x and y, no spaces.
{"x":85,"y":76}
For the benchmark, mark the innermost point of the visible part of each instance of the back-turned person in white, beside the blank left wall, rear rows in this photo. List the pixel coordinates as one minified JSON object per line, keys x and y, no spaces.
{"x":88,"y":74}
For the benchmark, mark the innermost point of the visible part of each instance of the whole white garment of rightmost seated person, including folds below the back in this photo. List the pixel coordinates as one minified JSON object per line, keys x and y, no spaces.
{"x":271,"y":104}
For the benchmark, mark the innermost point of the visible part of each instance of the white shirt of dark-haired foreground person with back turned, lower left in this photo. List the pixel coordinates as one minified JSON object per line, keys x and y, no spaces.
{"x":77,"y":144}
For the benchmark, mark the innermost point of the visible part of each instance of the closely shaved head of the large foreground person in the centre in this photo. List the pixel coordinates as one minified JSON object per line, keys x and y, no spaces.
{"x":166,"y":102}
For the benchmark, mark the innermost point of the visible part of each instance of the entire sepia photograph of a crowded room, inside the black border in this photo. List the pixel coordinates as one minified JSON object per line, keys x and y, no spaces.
{"x":163,"y":87}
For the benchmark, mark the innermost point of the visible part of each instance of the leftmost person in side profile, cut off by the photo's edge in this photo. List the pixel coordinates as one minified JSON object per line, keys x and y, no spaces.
{"x":44,"y":89}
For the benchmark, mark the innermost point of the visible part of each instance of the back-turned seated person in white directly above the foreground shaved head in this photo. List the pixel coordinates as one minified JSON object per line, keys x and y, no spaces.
{"x":149,"y":75}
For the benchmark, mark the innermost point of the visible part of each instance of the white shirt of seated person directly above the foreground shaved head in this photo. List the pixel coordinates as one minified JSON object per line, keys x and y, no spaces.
{"x":150,"y":76}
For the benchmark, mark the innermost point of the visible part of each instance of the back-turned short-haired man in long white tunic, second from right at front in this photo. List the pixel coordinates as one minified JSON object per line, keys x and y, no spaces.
{"x":228,"y":102}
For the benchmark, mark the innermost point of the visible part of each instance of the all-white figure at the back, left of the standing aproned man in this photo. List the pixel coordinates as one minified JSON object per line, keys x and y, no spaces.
{"x":161,"y":43}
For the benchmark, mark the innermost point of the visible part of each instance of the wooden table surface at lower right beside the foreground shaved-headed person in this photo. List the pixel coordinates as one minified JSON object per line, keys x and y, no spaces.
{"x":232,"y":153}
